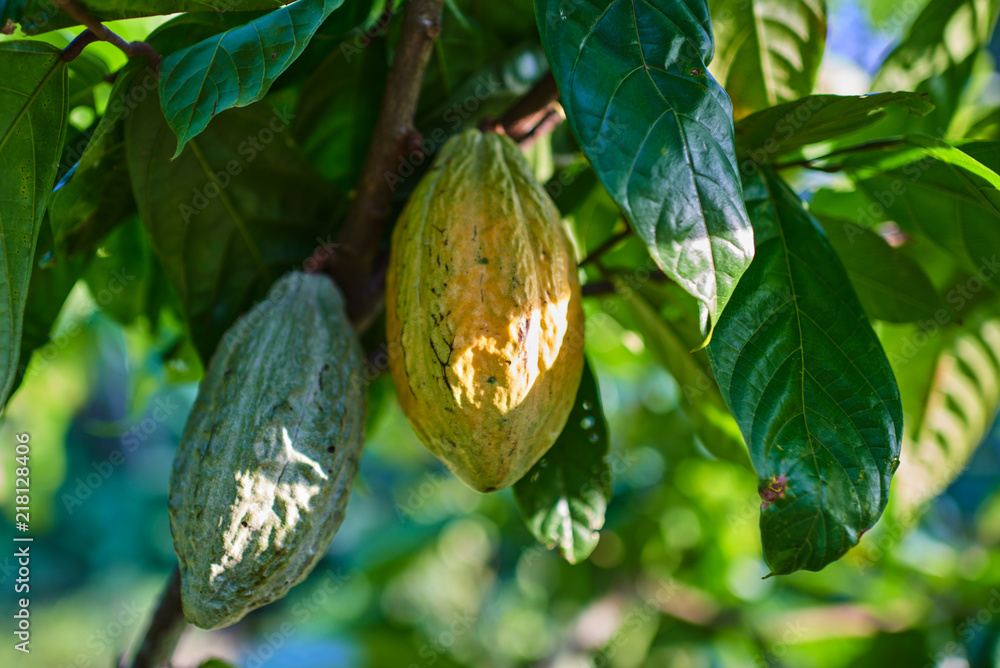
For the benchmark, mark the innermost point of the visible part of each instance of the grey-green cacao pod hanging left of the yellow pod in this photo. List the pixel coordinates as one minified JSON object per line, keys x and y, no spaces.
{"x":264,"y":468}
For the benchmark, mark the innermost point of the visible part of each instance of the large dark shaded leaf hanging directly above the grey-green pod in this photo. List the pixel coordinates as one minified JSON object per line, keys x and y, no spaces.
{"x":230,"y":215}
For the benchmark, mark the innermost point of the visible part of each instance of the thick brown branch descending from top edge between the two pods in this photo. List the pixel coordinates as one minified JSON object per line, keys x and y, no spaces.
{"x":394,"y":138}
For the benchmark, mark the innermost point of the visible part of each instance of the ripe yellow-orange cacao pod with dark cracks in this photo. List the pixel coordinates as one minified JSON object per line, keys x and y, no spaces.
{"x":483,"y":313}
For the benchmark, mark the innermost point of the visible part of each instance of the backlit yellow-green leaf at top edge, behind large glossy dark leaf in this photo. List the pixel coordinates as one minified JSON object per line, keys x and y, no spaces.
{"x":768,"y":50}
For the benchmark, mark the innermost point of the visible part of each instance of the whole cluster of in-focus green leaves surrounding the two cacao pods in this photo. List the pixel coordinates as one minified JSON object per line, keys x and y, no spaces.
{"x":803,"y":316}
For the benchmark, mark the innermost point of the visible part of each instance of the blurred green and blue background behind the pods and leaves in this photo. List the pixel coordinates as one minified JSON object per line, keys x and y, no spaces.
{"x":425,"y":572}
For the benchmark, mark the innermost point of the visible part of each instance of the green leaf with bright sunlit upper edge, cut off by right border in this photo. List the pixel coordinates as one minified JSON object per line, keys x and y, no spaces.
{"x":948,"y":194}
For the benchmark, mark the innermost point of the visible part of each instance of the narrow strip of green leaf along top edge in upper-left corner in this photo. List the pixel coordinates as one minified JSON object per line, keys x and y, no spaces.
{"x":39,"y":16}
